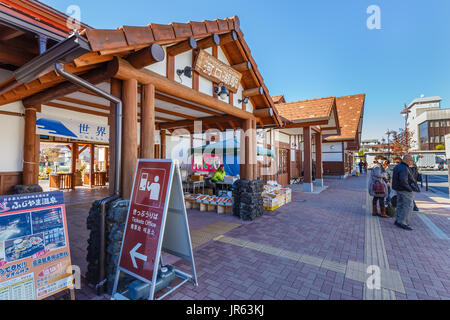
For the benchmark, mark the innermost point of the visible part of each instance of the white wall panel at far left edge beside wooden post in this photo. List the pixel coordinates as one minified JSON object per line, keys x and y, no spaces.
{"x":12,"y":139}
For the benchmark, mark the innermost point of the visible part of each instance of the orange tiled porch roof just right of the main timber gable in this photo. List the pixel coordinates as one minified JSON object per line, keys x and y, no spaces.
{"x":307,"y":110}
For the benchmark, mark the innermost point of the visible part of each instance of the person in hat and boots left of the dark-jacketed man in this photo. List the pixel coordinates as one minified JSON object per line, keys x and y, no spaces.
{"x":378,"y":190}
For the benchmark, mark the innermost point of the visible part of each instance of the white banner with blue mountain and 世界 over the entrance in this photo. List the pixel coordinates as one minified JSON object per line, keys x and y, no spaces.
{"x":72,"y":129}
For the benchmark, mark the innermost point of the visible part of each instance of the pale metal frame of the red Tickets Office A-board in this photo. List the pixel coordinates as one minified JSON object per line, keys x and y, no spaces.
{"x":174,"y":189}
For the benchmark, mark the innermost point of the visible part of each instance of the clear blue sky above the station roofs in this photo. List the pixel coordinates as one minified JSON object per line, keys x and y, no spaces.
{"x":309,"y":49}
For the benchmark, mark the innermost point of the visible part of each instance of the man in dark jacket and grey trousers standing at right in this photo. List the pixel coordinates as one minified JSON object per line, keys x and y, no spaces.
{"x":403,"y":183}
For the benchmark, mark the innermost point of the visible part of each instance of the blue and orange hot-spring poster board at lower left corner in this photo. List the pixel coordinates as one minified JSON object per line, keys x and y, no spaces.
{"x":34,"y":246}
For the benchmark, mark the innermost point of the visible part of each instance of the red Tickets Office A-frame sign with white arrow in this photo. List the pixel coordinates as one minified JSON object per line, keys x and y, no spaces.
{"x":156,"y":222}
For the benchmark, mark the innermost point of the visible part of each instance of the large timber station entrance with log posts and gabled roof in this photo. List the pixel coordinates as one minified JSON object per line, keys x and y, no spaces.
{"x":167,"y":77}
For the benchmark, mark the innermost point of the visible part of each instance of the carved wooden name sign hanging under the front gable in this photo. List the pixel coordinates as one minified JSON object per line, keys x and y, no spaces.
{"x":217,"y":71}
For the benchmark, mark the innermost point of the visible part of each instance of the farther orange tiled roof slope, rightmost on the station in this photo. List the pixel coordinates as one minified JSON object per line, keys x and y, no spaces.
{"x":350,"y":111}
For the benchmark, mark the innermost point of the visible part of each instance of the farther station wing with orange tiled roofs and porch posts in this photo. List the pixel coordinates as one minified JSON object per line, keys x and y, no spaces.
{"x":334,"y":135}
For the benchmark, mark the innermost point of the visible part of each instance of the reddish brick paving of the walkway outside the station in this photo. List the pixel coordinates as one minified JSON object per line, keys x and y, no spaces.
{"x":315,"y":248}
